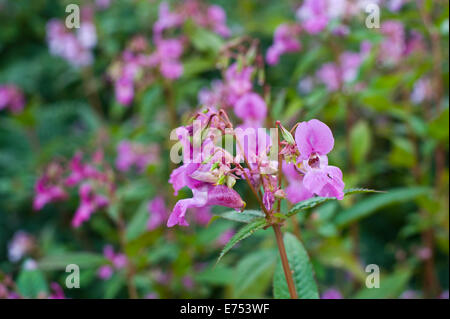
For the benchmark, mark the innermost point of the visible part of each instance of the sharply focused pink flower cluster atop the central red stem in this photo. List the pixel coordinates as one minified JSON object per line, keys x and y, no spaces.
{"x":210,"y":171}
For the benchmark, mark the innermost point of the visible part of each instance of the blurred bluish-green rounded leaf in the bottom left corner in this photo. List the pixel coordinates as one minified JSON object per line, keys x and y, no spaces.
{"x":31,"y":283}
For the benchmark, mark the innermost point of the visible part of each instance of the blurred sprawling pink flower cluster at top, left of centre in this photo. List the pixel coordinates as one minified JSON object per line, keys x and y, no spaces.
{"x":139,"y":65}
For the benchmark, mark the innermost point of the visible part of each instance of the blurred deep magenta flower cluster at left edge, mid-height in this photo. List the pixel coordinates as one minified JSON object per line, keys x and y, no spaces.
{"x":94,"y":181}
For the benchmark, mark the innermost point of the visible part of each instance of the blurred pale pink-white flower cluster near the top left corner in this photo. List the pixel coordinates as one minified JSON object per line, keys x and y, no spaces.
{"x":74,"y":47}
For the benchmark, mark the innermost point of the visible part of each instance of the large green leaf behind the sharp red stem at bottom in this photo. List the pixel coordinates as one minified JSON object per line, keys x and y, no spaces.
{"x":302,"y":272}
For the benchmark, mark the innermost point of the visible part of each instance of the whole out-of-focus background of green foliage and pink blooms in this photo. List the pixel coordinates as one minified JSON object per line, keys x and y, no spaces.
{"x":61,"y":97}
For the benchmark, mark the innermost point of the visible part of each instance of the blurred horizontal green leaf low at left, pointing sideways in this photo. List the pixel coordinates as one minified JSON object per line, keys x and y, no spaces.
{"x":60,"y":261}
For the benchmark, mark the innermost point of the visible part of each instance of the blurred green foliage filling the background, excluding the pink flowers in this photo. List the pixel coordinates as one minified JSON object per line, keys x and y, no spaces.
{"x":384,"y":141}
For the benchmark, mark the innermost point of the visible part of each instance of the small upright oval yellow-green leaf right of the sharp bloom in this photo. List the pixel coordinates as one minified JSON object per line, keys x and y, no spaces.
{"x":360,"y":141}
